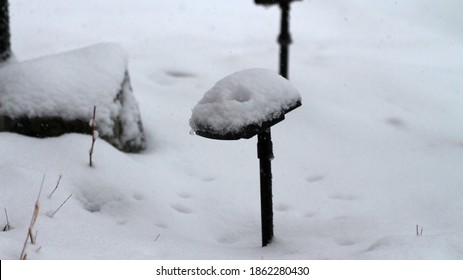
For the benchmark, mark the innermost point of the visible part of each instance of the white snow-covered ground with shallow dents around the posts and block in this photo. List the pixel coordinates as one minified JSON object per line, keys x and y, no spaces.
{"x":375,"y":150}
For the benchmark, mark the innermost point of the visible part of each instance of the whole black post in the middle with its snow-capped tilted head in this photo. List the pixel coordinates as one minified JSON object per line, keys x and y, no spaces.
{"x":240,"y":106}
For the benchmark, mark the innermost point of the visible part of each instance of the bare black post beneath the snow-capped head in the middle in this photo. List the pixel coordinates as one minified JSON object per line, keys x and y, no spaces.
{"x":265,"y":155}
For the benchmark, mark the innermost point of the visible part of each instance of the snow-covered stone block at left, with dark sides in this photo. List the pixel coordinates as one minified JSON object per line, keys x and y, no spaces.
{"x":53,"y":95}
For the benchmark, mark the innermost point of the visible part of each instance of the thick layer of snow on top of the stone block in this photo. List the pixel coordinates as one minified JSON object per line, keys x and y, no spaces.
{"x":67,"y":84}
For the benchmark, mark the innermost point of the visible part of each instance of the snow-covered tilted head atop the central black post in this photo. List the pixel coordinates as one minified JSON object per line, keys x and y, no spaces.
{"x":243,"y":104}
